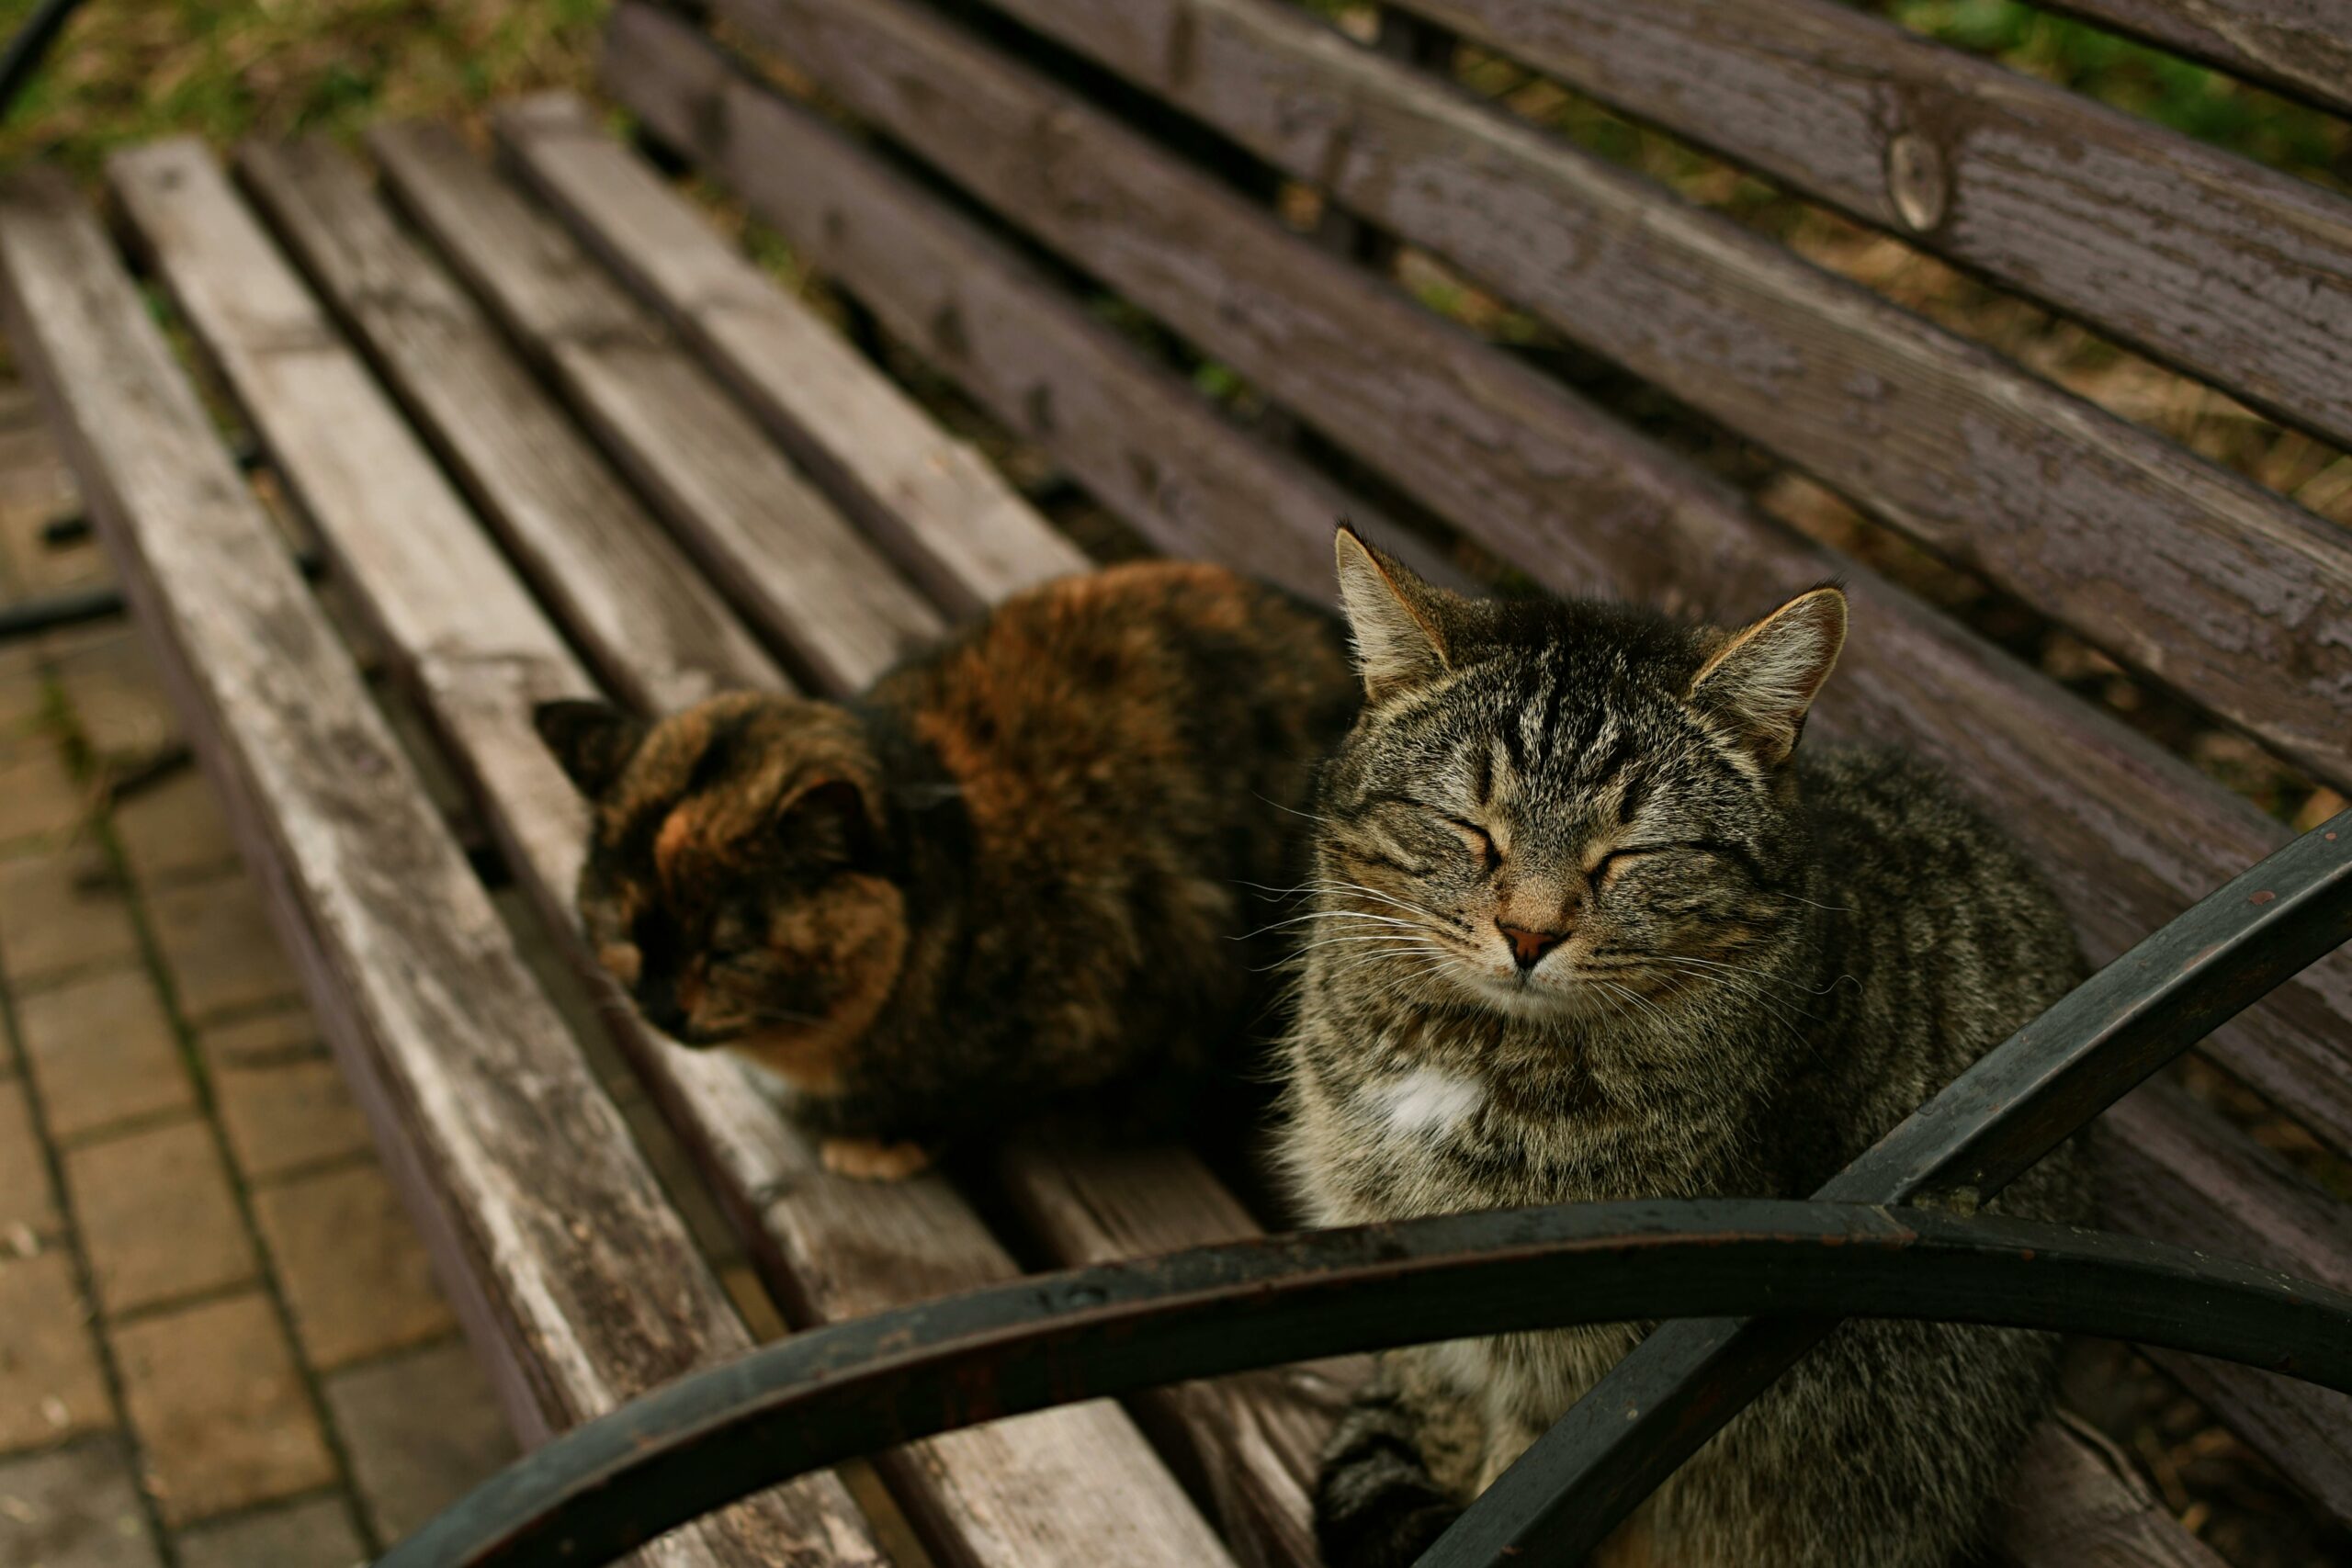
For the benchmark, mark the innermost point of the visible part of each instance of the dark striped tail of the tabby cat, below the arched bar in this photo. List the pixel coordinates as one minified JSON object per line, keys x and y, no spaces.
{"x":1375,"y":1499}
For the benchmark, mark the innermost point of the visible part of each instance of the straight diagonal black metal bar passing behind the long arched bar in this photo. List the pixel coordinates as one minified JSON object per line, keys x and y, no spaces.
{"x":2026,"y":1097}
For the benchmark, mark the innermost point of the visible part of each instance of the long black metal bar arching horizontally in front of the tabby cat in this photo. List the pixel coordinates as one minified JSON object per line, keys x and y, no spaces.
{"x":853,"y":1388}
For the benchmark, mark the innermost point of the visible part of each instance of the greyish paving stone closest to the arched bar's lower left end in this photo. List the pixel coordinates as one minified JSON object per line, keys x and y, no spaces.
{"x":422,"y":1430}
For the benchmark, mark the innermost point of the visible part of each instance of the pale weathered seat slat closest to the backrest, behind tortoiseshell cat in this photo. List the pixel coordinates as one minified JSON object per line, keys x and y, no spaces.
{"x":930,"y":500}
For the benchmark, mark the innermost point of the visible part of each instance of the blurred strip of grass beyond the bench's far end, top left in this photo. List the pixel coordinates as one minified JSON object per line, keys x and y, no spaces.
{"x":227,"y":69}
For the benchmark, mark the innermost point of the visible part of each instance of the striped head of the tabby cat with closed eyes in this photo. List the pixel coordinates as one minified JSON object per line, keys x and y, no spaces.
{"x":1565,"y":810}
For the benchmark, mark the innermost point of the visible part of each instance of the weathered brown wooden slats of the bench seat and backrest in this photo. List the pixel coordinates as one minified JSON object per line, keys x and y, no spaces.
{"x":554,"y":436}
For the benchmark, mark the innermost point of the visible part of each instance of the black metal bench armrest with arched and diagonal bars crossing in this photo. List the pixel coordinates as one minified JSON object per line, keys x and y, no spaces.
{"x":1751,"y":1282}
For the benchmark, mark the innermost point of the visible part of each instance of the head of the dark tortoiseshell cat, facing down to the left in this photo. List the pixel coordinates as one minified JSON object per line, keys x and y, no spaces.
{"x":737,"y":873}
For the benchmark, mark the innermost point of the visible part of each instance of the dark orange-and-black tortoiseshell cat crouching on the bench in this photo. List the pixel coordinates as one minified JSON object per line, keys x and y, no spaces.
{"x":1013,"y":871}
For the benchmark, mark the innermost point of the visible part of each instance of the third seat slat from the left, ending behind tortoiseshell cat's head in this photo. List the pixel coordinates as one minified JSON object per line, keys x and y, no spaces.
{"x":530,"y":471}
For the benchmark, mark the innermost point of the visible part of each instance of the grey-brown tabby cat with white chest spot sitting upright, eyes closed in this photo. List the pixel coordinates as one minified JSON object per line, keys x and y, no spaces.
{"x":1591,"y":930}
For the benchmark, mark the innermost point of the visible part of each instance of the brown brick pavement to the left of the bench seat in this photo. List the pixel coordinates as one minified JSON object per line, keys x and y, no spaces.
{"x":220,"y":1336}
